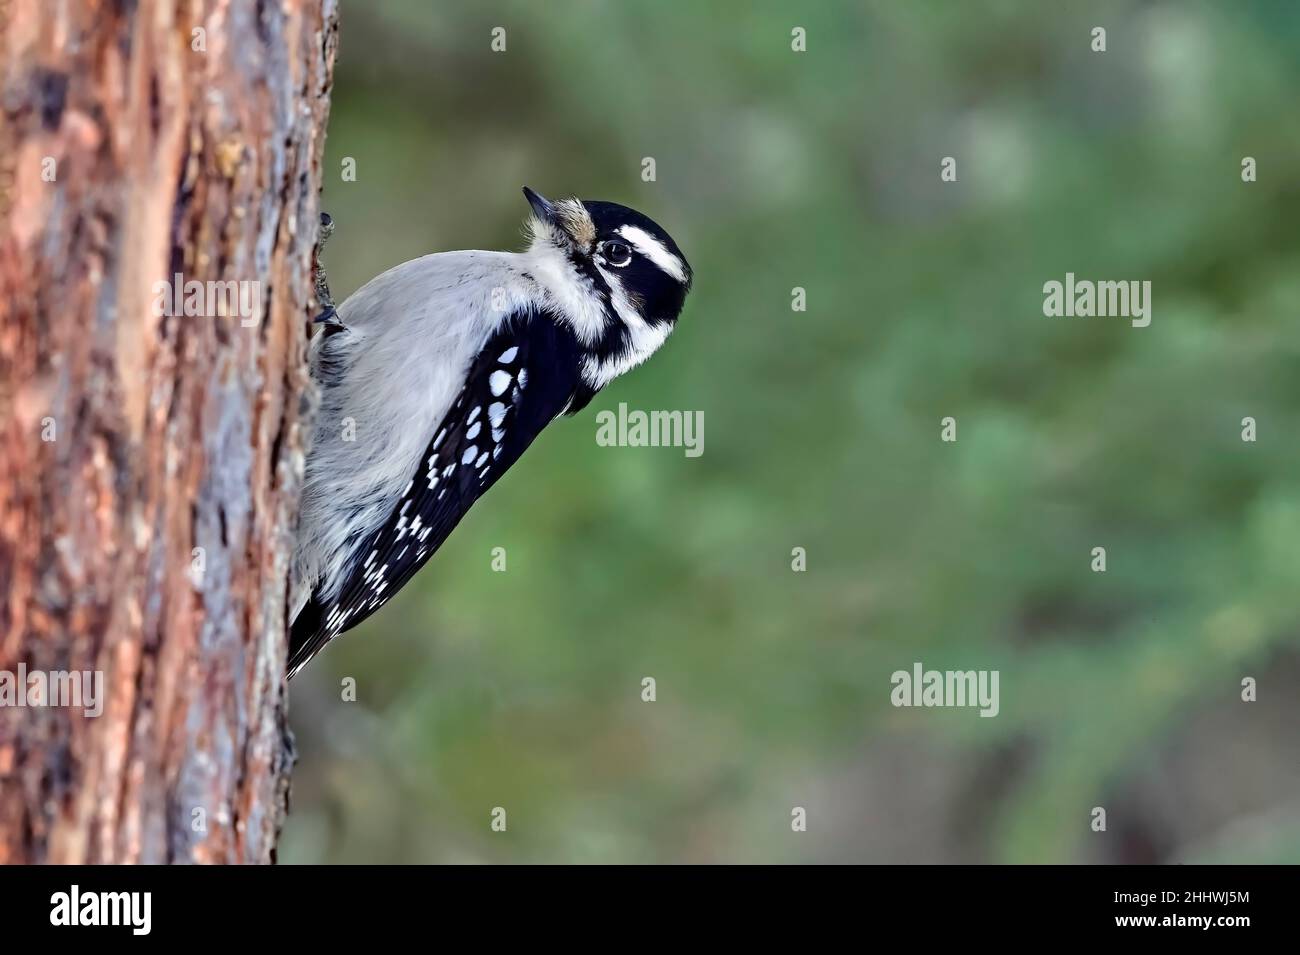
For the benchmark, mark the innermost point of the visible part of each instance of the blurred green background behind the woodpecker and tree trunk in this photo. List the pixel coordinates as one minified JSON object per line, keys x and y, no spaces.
{"x":822,"y":431}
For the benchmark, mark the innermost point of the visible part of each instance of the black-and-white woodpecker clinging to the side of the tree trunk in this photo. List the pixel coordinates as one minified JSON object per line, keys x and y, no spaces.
{"x":436,"y":376}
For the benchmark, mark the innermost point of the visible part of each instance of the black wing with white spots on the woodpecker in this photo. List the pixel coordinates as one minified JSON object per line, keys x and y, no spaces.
{"x":525,"y":377}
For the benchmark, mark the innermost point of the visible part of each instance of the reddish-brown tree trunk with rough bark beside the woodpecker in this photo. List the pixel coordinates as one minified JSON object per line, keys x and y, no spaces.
{"x":150,"y":463}
